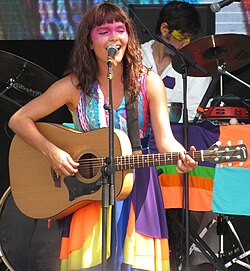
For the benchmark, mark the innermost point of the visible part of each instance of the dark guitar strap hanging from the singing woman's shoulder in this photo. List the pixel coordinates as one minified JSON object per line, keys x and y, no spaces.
{"x":132,"y":122}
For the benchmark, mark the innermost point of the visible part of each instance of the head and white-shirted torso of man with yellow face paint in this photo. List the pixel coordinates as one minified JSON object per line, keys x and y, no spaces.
{"x":177,"y":24}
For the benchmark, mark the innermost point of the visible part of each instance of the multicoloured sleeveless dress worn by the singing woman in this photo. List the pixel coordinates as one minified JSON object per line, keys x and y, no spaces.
{"x":137,"y":237}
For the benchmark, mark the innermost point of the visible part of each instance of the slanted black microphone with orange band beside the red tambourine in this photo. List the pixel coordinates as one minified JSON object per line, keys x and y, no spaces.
{"x":208,"y":94}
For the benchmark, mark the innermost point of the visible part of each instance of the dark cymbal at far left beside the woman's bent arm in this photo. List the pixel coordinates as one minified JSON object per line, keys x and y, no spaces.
{"x":21,"y":80}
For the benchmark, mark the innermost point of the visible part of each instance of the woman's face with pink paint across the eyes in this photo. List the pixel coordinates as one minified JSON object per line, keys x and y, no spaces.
{"x":104,"y":35}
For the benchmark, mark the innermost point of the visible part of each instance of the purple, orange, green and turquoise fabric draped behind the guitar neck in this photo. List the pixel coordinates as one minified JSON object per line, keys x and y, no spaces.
{"x":224,"y":189}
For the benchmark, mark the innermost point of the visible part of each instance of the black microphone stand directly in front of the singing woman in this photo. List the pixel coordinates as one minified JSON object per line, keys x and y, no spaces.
{"x":108,"y":170}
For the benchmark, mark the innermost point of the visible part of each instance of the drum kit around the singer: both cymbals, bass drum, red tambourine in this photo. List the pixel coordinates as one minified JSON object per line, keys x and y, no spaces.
{"x":27,"y":244}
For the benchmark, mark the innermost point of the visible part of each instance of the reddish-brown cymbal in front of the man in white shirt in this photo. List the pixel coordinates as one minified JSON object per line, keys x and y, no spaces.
{"x":232,"y":51}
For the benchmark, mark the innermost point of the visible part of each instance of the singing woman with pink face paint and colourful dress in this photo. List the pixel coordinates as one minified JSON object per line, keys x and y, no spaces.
{"x":138,"y":237}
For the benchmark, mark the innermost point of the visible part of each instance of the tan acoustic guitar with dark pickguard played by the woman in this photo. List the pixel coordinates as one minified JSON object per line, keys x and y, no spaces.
{"x":39,"y":193}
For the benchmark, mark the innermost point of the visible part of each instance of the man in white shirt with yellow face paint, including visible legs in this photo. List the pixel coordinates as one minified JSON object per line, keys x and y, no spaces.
{"x":177,"y":24}
